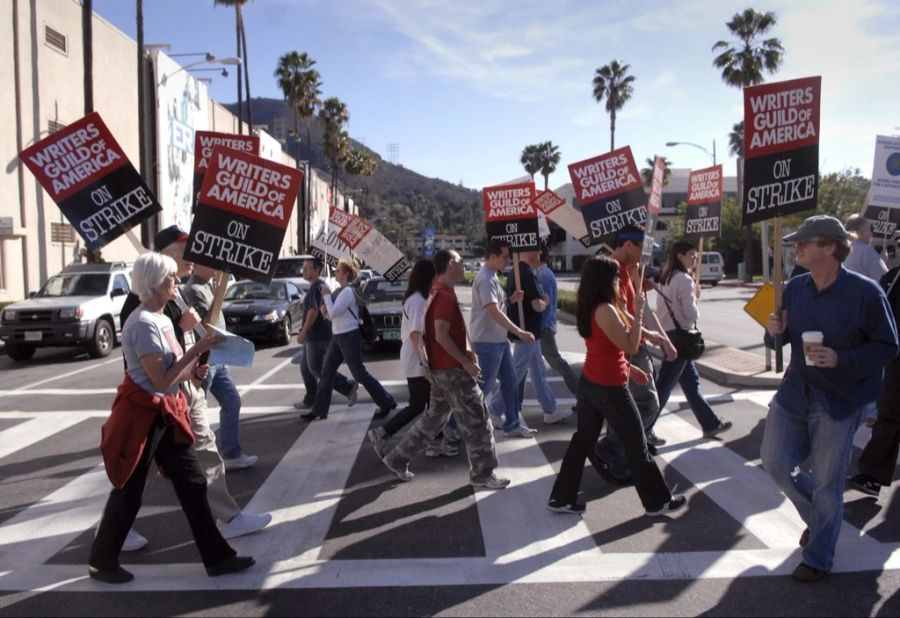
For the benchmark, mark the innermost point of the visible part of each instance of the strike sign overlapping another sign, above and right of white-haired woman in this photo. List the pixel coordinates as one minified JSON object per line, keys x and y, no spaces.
{"x":244,"y":209}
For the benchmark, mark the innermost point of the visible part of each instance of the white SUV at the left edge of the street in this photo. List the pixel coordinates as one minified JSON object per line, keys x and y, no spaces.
{"x":80,"y":306}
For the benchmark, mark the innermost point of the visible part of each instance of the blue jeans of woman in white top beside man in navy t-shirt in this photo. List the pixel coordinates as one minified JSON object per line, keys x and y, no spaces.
{"x":347,"y":348}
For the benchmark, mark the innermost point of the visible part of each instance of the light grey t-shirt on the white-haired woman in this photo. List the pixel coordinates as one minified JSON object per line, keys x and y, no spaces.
{"x":146,"y":332}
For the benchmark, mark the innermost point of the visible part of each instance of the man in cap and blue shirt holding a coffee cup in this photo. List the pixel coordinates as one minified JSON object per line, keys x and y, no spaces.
{"x":842,"y":334}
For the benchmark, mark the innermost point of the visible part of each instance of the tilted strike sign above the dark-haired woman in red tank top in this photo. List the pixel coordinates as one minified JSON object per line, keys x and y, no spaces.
{"x":610,"y":194}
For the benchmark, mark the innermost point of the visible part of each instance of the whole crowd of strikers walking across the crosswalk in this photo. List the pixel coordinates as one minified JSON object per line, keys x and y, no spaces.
{"x":466,"y":382}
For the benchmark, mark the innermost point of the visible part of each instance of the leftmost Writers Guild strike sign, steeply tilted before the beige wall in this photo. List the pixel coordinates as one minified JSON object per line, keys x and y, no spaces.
{"x":86,"y":172}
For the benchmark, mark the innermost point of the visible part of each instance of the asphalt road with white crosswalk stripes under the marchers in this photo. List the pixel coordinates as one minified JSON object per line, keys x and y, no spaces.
{"x":348,"y":539}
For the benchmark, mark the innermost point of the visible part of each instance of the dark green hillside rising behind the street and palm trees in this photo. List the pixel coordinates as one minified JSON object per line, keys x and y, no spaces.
{"x":397,"y":200}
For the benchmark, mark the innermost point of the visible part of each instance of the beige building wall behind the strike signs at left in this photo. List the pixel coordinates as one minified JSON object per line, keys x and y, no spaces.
{"x":51,"y":88}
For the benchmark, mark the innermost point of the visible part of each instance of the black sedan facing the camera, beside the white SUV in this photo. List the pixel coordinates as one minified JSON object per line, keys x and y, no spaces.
{"x":255,"y":310}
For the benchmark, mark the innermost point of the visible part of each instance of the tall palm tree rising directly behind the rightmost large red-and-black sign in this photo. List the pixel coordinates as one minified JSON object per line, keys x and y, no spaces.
{"x":742,"y":65}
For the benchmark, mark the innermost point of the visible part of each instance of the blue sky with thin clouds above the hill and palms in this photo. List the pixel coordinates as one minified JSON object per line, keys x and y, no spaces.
{"x":463,"y":85}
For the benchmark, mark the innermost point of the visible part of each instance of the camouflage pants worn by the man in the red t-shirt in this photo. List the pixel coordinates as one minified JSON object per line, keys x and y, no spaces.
{"x":453,"y":390}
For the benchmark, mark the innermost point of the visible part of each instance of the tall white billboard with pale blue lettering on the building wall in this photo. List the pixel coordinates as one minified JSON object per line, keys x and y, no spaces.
{"x":182,"y":109}
